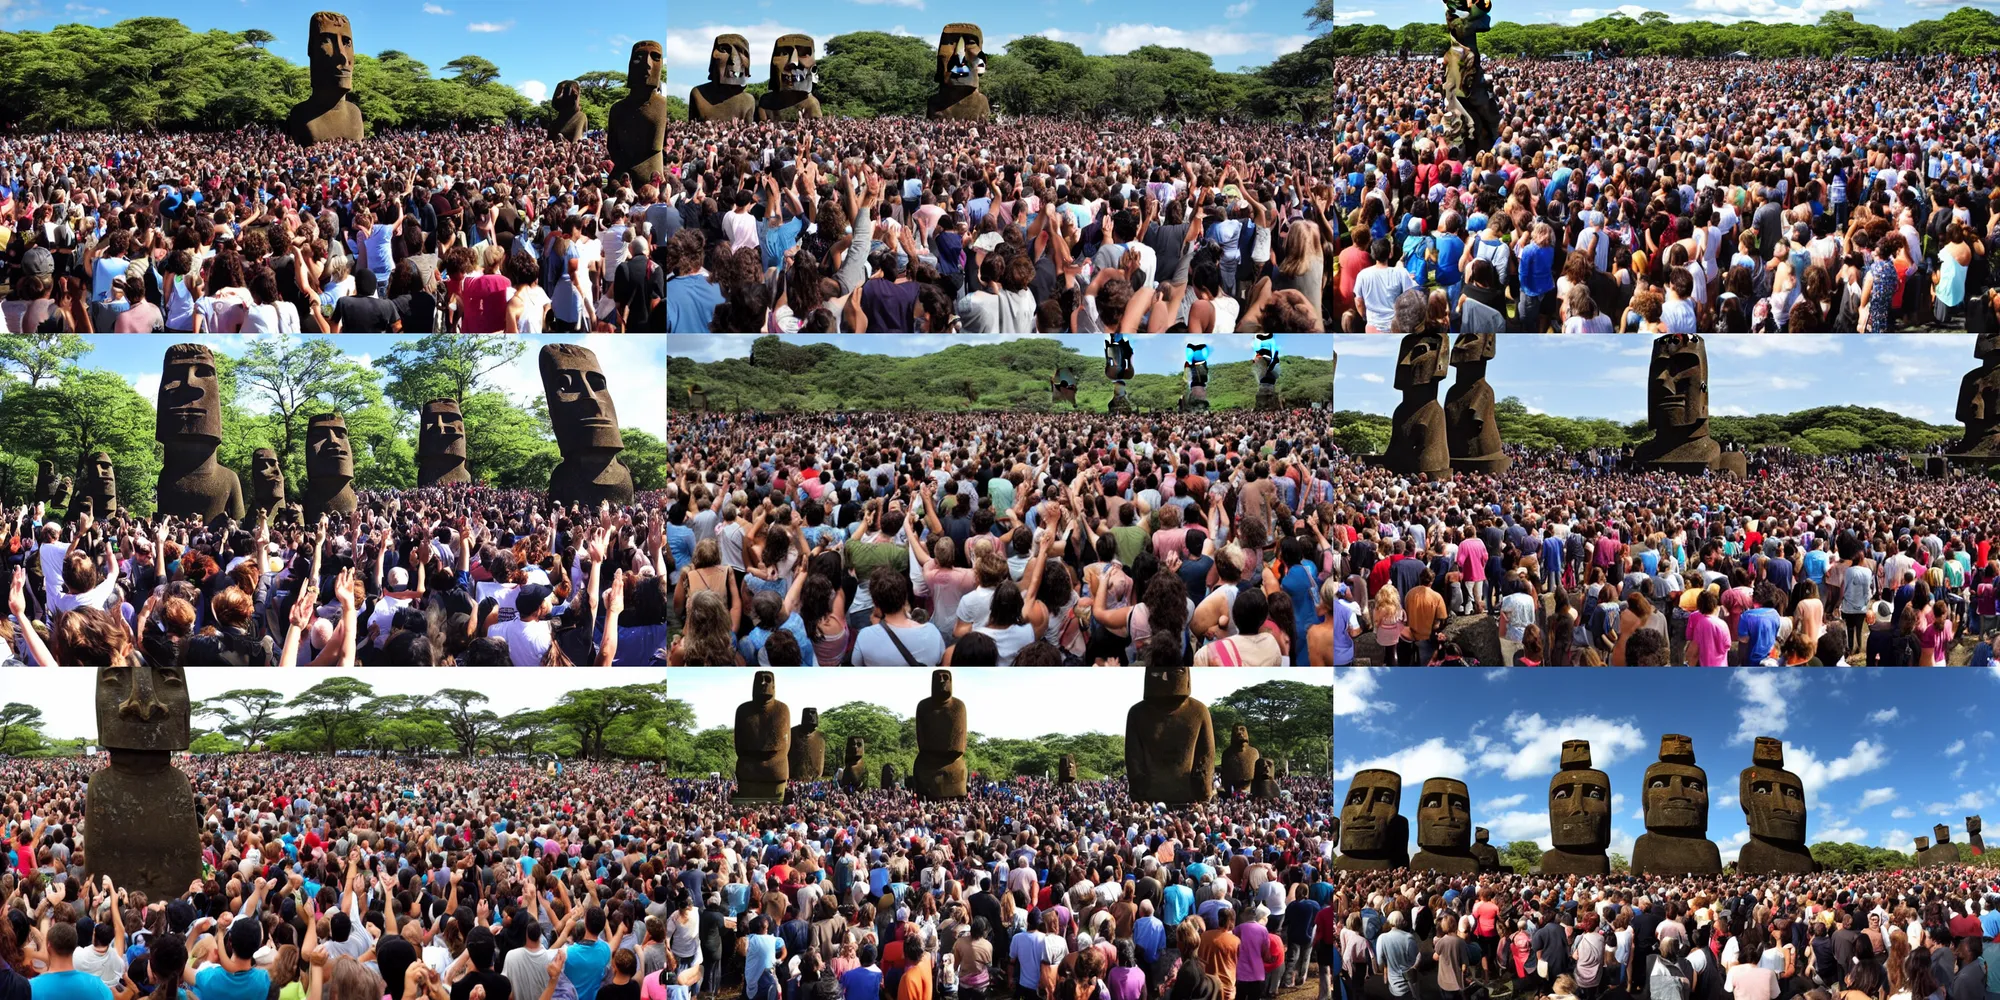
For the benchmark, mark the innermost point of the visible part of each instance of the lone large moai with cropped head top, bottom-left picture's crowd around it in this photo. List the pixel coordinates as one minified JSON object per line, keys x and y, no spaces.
{"x":145,"y":833}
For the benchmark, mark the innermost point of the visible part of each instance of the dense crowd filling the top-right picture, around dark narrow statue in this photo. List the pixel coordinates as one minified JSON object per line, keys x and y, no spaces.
{"x":1669,"y":195}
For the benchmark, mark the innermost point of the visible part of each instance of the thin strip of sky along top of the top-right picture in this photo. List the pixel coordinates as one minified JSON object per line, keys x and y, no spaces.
{"x":1887,"y":13}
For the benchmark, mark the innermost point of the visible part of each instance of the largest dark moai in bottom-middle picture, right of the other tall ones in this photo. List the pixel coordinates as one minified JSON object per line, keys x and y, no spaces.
{"x":1171,"y":743}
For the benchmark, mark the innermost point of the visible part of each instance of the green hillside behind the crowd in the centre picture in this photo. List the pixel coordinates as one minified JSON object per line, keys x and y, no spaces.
{"x":963,"y":377}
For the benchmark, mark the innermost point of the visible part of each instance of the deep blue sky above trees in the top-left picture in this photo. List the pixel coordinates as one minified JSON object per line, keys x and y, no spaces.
{"x":533,"y":43}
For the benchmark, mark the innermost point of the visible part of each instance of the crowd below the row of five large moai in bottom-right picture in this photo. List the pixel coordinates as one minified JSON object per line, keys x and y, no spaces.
{"x":1893,"y":935}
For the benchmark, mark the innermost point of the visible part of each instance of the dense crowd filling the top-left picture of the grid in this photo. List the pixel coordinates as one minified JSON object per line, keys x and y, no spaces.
{"x":491,"y":231}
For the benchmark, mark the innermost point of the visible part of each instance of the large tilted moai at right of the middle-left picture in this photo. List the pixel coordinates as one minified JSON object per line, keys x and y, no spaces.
{"x":587,"y":429}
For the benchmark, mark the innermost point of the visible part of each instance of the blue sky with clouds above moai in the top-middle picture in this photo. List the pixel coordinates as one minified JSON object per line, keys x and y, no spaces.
{"x":1235,"y":33}
